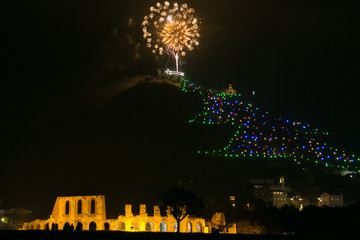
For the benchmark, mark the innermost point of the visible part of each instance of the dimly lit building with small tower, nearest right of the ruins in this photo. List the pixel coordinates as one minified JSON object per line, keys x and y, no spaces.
{"x":271,"y":191}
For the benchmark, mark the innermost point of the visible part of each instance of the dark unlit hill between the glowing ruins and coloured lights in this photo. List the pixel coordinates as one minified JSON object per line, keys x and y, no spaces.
{"x":134,"y":149}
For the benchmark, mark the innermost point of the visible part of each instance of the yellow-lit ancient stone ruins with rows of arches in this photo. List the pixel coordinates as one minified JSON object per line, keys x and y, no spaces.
{"x":89,"y":213}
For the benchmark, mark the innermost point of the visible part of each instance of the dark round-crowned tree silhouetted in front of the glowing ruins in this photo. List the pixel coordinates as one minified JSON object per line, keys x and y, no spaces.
{"x":181,"y":203}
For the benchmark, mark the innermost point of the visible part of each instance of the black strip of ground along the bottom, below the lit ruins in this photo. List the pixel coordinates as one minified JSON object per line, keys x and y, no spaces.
{"x":33,"y":234}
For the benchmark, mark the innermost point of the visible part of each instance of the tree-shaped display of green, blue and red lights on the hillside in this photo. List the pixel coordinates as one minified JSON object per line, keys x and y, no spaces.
{"x":260,"y":135}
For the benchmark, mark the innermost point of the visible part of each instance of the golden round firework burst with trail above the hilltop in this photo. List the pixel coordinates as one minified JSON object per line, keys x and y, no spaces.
{"x":171,"y":28}
